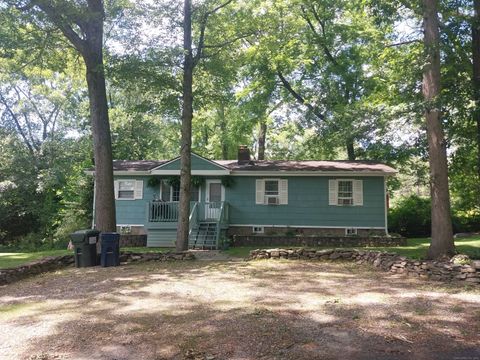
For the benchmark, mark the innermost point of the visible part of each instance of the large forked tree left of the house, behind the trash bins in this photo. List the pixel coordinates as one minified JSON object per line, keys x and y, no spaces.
{"x":82,"y":26}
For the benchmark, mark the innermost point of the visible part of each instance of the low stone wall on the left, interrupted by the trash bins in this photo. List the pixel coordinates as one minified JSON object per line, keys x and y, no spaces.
{"x":58,"y":262}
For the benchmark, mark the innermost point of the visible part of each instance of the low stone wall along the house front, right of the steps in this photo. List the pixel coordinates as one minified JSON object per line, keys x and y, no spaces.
{"x":333,"y":241}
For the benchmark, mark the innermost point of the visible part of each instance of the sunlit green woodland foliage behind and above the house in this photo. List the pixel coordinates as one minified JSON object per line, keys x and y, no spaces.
{"x":292,"y":79}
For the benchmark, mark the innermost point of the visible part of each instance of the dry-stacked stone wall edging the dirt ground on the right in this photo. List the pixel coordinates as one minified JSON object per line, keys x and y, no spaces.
{"x":434,"y":270}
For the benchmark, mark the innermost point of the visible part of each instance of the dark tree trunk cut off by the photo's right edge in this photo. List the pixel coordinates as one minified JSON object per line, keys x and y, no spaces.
{"x":476,"y":75}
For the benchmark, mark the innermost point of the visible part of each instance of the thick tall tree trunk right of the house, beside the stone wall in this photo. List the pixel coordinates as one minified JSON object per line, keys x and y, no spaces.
{"x":442,"y":235}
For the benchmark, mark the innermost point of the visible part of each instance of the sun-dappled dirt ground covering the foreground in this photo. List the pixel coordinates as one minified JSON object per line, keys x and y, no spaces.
{"x":237,"y":310}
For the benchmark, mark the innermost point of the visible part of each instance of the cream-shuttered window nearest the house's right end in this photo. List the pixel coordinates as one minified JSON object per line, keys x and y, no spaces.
{"x":345,"y":192}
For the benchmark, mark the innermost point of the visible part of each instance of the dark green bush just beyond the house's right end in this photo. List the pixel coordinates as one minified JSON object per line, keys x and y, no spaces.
{"x":411,"y":217}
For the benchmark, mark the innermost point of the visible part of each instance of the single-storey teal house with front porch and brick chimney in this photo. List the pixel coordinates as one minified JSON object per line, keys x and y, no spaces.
{"x":244,"y":197}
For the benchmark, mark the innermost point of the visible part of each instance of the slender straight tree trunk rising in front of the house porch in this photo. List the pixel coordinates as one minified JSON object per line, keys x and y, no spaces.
{"x":186,"y":142}
